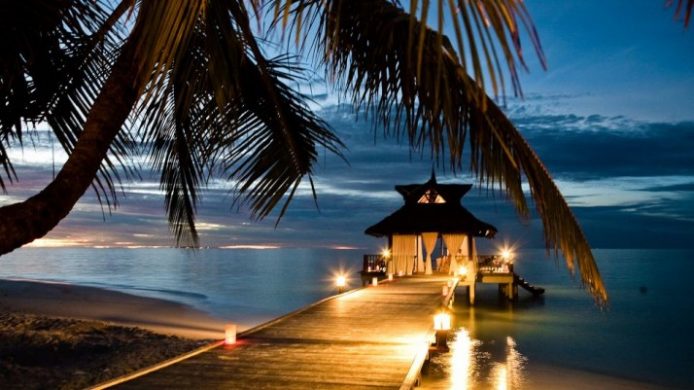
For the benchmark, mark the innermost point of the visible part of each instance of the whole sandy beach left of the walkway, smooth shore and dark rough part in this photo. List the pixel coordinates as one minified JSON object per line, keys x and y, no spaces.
{"x":55,"y":335}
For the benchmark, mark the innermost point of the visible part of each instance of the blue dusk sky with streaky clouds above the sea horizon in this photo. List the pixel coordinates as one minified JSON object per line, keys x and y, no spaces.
{"x":612,"y":118}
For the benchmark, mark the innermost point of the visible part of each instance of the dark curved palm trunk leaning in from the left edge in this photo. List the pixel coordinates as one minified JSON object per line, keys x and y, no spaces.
{"x":22,"y":223}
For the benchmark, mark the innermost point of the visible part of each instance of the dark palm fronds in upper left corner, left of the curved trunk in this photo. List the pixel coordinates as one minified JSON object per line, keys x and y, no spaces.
{"x":52,"y":73}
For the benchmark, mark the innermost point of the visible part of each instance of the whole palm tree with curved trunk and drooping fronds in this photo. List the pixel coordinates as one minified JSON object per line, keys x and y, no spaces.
{"x":189,"y":80}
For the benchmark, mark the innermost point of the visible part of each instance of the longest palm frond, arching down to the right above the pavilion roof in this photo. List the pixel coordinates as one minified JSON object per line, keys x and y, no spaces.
{"x":367,"y":48}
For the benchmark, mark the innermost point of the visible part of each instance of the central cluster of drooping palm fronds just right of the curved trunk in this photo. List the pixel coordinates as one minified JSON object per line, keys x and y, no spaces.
{"x":223,"y":107}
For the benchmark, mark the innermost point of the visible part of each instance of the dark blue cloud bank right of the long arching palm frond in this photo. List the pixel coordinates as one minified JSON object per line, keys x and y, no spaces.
{"x":597,"y":146}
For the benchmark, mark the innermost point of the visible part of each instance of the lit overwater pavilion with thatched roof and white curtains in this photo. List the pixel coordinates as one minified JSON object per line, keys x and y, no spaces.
{"x":431,"y":211}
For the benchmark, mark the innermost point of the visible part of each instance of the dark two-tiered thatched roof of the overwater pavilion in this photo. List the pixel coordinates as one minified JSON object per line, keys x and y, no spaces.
{"x":432,"y":207}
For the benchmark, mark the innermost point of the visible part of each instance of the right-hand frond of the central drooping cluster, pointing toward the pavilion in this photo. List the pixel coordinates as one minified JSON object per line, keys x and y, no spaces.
{"x":282,"y":150}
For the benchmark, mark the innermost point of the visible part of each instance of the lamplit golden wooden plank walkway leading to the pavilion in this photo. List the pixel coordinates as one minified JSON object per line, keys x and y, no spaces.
{"x":367,"y":339}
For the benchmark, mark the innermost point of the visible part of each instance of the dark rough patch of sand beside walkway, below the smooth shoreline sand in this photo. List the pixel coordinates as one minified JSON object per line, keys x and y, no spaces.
{"x":40,"y":352}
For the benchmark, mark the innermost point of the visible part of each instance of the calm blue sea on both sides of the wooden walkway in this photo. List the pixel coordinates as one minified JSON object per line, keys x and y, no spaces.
{"x":645,"y":334}
